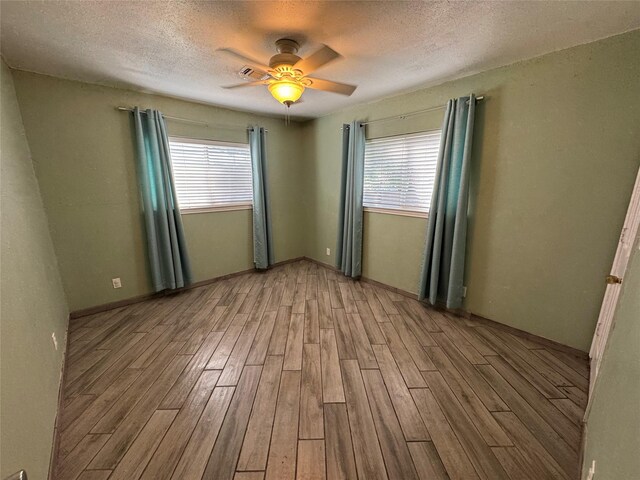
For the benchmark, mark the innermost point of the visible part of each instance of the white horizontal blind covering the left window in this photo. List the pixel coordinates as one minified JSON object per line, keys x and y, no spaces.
{"x":211,"y":174}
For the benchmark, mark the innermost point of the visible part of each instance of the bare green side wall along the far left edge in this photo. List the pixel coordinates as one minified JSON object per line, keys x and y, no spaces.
{"x":33,"y":305}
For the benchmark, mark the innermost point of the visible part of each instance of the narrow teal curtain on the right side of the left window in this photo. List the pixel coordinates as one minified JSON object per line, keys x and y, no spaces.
{"x":262,"y":241}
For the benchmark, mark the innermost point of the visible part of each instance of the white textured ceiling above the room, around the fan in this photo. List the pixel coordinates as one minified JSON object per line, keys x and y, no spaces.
{"x":172,"y":47}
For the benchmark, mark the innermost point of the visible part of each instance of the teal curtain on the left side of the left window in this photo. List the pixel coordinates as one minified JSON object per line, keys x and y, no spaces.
{"x":166,"y":245}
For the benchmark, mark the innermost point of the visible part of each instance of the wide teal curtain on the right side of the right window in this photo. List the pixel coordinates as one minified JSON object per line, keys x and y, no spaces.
{"x":442,"y":277}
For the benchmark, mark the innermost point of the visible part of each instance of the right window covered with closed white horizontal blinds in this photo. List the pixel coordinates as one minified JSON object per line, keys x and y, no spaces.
{"x":399,"y":172}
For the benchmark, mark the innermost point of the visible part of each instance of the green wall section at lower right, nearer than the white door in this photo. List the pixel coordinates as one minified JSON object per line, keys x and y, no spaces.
{"x":613,"y":424}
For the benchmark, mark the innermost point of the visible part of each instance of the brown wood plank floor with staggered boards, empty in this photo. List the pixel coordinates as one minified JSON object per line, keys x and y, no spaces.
{"x":300,"y":373}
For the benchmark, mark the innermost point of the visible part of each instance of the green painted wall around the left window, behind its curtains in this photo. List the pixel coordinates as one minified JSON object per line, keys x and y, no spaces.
{"x":84,"y":156}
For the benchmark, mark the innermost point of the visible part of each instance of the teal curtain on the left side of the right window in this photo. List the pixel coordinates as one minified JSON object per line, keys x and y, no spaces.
{"x":349,"y":248}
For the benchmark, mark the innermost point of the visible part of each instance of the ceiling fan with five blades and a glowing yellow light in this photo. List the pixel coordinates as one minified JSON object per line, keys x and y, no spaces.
{"x":286,"y":77}
